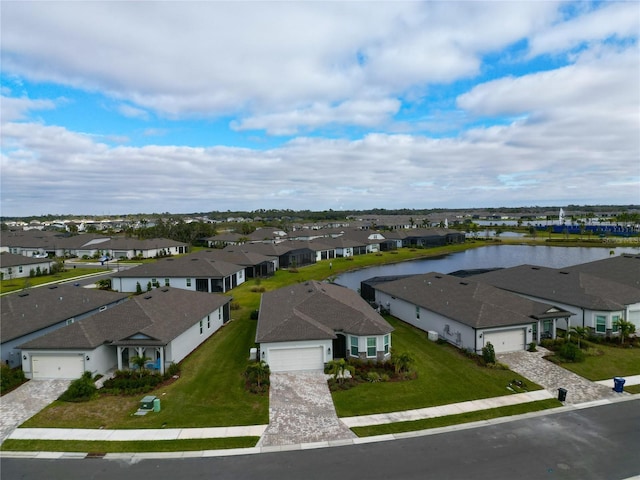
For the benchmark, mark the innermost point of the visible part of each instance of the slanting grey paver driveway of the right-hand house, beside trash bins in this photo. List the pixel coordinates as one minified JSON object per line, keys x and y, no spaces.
{"x":531,"y":365}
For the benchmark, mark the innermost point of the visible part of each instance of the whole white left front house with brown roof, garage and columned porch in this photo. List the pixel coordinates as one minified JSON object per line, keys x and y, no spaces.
{"x":163,"y":326}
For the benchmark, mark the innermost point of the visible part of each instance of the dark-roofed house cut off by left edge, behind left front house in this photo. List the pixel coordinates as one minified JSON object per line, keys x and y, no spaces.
{"x":32,"y":313}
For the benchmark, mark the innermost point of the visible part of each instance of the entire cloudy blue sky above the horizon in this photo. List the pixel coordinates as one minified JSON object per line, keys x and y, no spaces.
{"x":111,"y":108}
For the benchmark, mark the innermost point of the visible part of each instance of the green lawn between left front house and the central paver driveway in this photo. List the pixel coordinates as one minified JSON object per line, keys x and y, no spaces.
{"x":209,"y":393}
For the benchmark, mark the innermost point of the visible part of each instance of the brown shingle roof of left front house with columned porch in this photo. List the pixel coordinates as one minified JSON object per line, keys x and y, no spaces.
{"x":155,"y":318}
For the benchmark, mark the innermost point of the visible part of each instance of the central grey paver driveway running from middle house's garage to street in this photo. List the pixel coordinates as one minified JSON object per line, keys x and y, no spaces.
{"x":301,"y":410}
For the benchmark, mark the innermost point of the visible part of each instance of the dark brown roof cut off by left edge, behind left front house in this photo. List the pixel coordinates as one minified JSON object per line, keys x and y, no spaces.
{"x":38,"y":308}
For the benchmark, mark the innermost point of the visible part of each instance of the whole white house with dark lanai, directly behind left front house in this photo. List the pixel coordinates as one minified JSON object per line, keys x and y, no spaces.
{"x":191,"y":272}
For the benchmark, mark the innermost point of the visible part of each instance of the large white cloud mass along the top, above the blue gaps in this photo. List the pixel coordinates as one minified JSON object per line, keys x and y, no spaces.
{"x":258,"y":58}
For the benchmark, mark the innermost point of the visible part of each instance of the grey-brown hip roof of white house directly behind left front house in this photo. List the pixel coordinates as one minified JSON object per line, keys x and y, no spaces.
{"x":186,"y":266}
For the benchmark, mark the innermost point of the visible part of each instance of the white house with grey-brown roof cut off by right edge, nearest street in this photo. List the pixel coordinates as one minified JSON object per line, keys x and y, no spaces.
{"x":595,"y":301}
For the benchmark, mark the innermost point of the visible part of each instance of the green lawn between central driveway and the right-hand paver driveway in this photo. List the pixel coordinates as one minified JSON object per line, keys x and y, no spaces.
{"x":445,"y":376}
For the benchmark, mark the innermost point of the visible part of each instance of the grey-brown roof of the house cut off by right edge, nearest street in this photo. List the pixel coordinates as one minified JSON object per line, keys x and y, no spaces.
{"x":564,"y":286}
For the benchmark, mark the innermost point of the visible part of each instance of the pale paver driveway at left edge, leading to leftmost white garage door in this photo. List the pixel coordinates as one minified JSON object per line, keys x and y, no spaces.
{"x":25,"y":401}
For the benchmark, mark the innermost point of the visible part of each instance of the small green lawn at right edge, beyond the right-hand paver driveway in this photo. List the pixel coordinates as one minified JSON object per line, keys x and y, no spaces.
{"x":614,"y":362}
